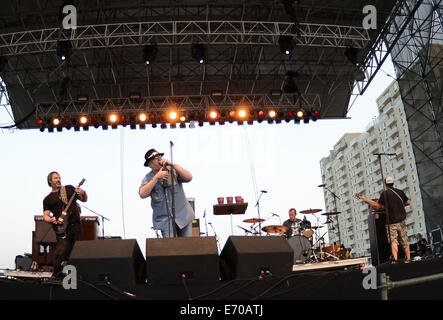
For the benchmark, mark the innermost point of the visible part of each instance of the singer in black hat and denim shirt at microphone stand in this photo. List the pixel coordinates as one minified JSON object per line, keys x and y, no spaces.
{"x":158,"y":185}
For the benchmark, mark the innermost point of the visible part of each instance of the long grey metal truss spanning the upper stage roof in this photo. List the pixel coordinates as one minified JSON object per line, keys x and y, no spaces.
{"x":175,"y":33}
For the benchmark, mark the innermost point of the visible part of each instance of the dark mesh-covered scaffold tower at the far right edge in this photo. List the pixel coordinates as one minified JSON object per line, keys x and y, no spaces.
{"x":418,"y":60}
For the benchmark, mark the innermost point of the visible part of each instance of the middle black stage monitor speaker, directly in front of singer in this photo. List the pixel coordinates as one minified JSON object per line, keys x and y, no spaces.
{"x":172,"y":260}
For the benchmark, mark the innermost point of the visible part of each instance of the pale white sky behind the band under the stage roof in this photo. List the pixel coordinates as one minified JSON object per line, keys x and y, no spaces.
{"x":229,"y":160}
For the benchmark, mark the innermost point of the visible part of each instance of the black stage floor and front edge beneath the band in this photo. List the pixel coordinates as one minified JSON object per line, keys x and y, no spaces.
{"x":305,"y":282}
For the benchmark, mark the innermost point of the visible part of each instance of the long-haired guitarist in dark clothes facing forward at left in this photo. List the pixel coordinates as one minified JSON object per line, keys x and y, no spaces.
{"x":55,"y":203}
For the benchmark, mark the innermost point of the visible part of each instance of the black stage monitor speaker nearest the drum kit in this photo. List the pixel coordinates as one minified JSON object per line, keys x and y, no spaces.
{"x":248,"y":257}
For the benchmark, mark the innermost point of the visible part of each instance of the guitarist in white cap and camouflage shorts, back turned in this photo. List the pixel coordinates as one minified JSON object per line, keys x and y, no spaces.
{"x":396,"y":229}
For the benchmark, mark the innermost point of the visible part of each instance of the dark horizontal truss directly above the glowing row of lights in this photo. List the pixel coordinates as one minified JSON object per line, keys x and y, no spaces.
{"x":200,"y":103}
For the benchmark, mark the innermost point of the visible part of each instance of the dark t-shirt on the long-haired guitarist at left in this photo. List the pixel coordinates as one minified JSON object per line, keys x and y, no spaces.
{"x":53,"y":203}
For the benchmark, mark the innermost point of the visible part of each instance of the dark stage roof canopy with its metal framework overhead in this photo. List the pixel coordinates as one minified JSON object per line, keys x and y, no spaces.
{"x":244,"y":59}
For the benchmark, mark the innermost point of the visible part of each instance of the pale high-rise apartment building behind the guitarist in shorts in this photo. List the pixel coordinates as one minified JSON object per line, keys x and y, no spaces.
{"x":352,"y":167}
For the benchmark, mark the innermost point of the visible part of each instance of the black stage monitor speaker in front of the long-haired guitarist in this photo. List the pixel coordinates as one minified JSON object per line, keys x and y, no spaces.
{"x":118,"y":261}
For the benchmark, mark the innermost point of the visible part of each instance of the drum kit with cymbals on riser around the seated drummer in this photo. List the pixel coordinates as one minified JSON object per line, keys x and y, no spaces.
{"x":305,"y":249}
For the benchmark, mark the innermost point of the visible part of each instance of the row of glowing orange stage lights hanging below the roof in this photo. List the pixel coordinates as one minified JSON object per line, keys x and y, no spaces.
{"x":175,"y":118}
